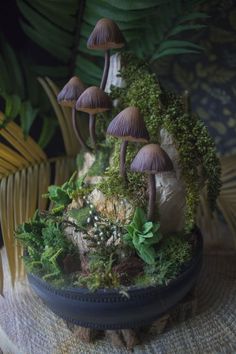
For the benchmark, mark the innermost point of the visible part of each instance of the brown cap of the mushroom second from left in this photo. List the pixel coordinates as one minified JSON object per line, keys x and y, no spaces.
{"x":93,"y":100}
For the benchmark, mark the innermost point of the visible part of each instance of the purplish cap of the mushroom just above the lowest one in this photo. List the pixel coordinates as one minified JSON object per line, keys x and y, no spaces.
{"x":129,"y":125}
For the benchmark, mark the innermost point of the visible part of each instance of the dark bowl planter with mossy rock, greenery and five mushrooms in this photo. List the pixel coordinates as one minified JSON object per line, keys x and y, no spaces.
{"x":120,"y":246}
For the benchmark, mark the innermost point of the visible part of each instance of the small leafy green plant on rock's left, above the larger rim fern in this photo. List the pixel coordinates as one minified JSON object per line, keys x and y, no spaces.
{"x":62,"y":196}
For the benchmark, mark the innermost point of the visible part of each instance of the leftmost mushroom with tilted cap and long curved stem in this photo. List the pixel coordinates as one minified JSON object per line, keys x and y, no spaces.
{"x":67,"y":97}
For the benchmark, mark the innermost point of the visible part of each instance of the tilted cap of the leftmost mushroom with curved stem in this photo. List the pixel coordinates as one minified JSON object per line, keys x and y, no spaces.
{"x":71,"y":92}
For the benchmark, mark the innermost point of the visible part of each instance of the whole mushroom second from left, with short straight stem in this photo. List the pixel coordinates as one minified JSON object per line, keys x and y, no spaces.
{"x":93,"y":100}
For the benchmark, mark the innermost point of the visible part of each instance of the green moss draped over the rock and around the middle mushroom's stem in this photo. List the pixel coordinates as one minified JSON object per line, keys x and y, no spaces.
{"x":198,"y":159}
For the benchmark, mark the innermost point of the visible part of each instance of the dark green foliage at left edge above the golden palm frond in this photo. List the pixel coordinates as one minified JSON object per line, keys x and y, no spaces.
{"x":19,"y":90}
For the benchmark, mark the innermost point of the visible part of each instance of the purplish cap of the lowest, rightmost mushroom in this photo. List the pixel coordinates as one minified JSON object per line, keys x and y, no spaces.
{"x":151,"y":159}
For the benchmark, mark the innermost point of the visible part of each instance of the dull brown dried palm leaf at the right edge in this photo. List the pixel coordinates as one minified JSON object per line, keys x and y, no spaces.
{"x":211,"y":225}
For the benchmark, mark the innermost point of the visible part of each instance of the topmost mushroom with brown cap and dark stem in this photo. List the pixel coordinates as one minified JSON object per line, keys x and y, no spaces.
{"x":105,"y":36}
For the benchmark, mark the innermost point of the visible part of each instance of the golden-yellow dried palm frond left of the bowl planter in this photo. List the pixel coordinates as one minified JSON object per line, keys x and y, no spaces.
{"x":25,"y":174}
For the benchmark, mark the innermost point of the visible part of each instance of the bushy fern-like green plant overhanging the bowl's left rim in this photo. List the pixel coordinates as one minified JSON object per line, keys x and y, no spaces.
{"x":45,"y":244}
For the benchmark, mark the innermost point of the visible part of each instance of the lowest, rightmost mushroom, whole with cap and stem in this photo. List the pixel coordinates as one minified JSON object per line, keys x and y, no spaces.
{"x":151,"y":159}
